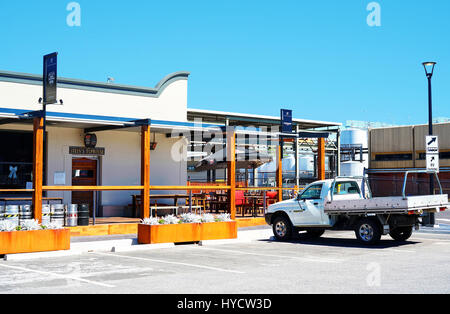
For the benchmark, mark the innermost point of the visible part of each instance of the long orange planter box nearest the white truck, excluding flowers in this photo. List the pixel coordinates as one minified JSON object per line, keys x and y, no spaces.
{"x":183,"y":233}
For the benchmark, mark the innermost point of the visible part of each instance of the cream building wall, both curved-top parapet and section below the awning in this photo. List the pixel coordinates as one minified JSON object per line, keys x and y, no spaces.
{"x":121,"y":164}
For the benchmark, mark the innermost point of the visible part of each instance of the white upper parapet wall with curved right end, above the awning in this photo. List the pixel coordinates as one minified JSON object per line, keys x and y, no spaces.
{"x":170,"y":105}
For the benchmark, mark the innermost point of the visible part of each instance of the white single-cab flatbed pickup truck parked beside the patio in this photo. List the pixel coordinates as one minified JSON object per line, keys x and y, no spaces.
{"x":351,"y":207}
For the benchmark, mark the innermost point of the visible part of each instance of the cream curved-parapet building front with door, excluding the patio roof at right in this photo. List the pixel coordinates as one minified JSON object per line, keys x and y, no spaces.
{"x":89,"y":106}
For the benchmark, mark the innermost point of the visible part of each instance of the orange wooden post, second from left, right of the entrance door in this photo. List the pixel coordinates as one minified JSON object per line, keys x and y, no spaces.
{"x":145,"y":171}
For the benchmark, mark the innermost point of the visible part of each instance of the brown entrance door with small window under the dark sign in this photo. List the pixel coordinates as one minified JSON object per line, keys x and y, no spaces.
{"x":84,"y":173}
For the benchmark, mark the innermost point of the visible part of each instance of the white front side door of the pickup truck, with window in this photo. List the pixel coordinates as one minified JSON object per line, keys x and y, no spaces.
{"x":310,"y":203}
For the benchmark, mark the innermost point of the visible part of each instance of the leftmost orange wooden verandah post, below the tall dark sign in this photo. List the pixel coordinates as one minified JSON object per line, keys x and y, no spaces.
{"x":38,"y":168}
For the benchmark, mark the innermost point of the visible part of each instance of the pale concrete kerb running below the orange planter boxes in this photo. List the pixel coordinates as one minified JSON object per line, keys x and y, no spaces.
{"x":129,"y":245}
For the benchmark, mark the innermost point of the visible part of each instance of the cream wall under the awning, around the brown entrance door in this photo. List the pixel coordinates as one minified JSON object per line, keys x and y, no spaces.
{"x":121,"y":164}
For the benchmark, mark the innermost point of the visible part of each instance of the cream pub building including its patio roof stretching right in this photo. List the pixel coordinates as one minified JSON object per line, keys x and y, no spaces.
{"x":94,"y":138}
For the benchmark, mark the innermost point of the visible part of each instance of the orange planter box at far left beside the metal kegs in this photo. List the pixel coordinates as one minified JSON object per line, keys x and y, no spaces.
{"x":34,"y":241}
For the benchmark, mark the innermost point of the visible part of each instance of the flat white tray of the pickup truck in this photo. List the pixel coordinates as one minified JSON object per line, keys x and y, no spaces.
{"x":391,"y":204}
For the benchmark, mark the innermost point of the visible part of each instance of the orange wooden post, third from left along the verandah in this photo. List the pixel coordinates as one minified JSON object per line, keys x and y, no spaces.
{"x":231,"y":170}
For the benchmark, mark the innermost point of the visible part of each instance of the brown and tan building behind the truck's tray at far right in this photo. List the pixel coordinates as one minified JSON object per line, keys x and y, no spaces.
{"x":393,"y":150}
